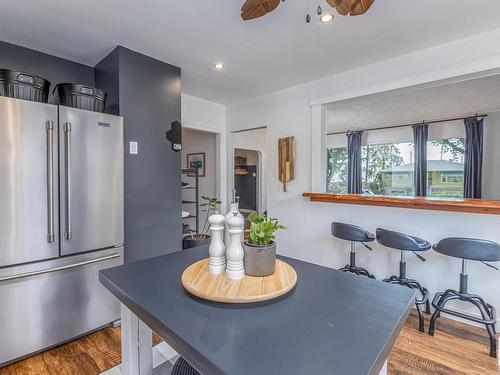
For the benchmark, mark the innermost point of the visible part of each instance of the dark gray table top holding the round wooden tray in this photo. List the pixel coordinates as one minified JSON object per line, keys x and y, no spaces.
{"x":331,"y":323}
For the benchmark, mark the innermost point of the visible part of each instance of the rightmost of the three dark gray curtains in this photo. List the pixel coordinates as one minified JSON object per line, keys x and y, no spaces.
{"x":473,"y":168}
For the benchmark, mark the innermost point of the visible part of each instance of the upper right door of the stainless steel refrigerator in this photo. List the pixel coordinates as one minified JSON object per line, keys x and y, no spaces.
{"x":91,"y":149}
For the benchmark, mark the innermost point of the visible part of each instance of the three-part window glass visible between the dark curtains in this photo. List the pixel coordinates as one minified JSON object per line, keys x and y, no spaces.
{"x":388,"y":168}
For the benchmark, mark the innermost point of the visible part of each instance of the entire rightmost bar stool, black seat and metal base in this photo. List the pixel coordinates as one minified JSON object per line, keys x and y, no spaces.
{"x":467,"y":249}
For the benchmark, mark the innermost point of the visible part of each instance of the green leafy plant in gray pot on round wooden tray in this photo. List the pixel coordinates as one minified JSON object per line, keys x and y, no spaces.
{"x":260,"y":248}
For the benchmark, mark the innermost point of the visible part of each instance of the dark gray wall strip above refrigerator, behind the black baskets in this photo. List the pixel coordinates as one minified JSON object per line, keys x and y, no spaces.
{"x":55,"y":69}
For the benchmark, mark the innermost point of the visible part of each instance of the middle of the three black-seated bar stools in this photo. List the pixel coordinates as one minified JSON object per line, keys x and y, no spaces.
{"x":404,"y":243}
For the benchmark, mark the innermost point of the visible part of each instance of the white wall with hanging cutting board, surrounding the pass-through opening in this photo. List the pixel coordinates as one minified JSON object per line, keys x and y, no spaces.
{"x":288,"y":112}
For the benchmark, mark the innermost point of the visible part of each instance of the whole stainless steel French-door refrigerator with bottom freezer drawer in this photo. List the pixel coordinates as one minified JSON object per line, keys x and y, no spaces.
{"x":61,"y":221}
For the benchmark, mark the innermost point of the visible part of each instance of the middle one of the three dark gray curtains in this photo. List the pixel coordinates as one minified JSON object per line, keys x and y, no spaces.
{"x":420,"y":137}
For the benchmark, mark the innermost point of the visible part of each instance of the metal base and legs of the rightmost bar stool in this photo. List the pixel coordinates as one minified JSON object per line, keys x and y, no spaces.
{"x":488,"y":312}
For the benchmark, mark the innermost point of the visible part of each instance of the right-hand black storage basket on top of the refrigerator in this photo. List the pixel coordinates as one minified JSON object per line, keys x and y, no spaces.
{"x":81,"y":96}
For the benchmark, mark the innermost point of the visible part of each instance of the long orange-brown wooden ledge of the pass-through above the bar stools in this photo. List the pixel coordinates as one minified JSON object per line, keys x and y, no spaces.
{"x":478,"y":206}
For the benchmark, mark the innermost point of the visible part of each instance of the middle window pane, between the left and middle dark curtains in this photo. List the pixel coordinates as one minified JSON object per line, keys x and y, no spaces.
{"x":387,"y":169}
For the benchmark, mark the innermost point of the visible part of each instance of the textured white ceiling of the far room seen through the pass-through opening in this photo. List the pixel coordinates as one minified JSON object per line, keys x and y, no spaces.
{"x":416,"y":104}
